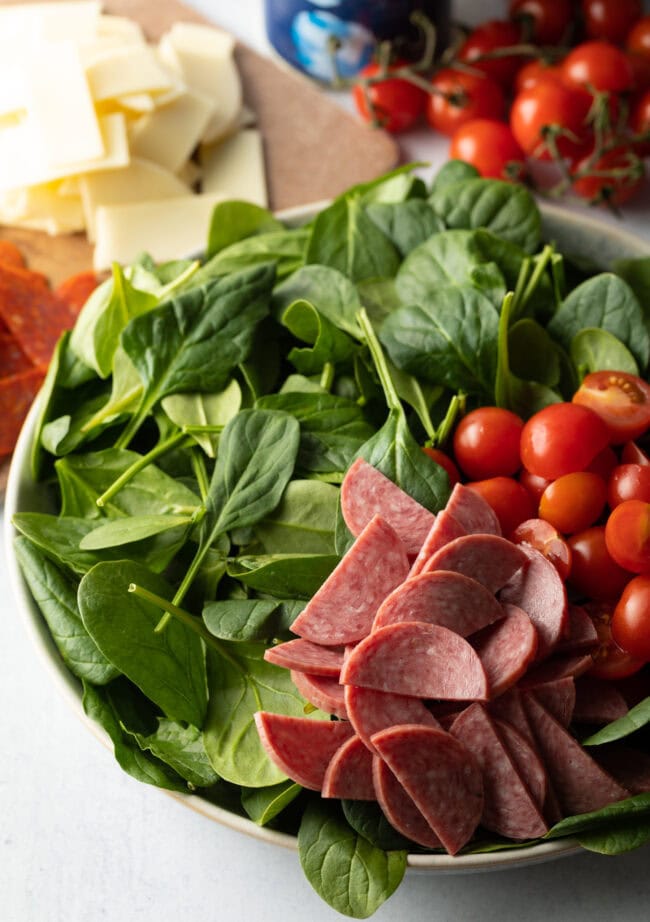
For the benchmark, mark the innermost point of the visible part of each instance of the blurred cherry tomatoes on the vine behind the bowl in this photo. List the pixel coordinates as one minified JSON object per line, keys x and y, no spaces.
{"x":562,"y":82}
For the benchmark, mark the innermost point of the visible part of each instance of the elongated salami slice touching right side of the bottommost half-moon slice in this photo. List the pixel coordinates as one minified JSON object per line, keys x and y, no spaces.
{"x":509,"y":808}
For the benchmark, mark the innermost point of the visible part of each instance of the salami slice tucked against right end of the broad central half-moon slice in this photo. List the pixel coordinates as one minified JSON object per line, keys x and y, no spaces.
{"x":506,"y":648}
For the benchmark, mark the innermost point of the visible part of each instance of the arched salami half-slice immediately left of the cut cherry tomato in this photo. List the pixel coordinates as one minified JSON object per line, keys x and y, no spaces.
{"x":491,"y":560}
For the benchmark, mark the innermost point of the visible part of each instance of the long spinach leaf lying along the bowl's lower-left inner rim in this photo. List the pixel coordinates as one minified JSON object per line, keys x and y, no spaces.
{"x":56,"y":595}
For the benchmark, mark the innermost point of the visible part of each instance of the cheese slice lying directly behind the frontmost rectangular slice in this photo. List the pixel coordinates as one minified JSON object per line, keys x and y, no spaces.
{"x":139,"y":181}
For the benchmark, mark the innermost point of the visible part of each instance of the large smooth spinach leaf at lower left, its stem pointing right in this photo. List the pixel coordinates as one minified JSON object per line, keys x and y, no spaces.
{"x":169,"y":667}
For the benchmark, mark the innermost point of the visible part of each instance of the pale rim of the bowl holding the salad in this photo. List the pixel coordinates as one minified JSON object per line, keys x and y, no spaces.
{"x":18,"y":482}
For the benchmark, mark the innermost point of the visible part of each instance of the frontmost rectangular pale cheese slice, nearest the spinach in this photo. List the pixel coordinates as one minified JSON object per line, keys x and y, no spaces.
{"x":164,"y":228}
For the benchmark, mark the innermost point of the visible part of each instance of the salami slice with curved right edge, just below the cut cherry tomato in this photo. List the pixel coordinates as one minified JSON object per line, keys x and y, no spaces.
{"x":539,"y":590}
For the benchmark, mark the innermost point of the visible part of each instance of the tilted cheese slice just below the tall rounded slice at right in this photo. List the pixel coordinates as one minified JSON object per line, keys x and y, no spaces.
{"x":169,"y":135}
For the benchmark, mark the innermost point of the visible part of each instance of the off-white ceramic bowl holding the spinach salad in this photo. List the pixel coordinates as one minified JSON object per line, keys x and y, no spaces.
{"x":578,"y":234}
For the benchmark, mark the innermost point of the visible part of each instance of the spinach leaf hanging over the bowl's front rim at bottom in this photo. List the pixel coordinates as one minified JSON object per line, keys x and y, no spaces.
{"x":351,"y":875}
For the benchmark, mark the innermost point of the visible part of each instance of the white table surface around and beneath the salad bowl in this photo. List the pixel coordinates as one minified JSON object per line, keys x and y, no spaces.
{"x":82,"y":842}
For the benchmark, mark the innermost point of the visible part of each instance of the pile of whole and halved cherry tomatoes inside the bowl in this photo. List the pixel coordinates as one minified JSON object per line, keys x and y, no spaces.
{"x":573,"y":482}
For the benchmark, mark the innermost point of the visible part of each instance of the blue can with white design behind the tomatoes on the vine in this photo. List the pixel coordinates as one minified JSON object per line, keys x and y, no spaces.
{"x":328,"y":39}
